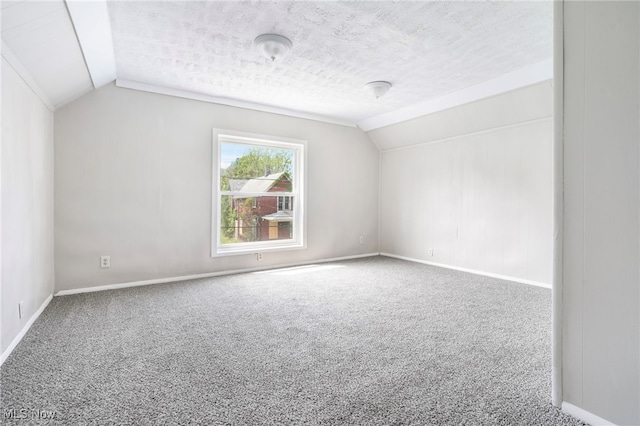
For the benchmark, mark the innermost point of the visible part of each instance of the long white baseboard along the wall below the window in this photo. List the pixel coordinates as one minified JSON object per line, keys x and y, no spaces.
{"x":207,"y":275}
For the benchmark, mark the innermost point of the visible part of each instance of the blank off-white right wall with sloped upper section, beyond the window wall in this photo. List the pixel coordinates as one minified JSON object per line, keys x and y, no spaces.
{"x":481,"y":201}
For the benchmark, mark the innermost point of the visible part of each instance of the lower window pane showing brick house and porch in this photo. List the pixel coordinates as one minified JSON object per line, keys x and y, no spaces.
{"x":250,"y":219}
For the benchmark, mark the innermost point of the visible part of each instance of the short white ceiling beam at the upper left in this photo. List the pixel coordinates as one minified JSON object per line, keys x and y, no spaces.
{"x":93,"y":29}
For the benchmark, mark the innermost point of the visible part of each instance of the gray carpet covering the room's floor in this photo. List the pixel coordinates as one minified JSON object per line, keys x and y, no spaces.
{"x":374,"y":341}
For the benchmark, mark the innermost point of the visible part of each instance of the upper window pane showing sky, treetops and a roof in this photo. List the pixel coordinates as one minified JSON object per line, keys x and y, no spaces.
{"x":254,"y":168}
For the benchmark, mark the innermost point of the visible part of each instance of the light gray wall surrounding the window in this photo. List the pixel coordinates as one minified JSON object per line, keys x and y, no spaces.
{"x":133,"y":181}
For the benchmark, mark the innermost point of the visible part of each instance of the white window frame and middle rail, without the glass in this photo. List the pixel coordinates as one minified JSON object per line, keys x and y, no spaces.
{"x":298,"y":192}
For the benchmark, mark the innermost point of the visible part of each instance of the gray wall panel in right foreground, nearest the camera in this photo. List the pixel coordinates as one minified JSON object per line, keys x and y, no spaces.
{"x":601,"y":335}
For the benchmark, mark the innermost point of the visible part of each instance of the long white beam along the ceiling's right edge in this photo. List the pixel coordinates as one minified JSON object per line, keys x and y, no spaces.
{"x":532,"y":74}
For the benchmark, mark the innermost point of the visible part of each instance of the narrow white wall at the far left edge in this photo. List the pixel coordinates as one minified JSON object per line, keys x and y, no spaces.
{"x":27,"y":204}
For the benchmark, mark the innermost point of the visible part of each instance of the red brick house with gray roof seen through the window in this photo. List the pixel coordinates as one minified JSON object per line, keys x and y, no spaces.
{"x":259,"y":218}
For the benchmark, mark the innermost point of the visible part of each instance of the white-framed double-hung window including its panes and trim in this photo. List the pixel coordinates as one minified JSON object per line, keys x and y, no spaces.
{"x":258,"y":193}
